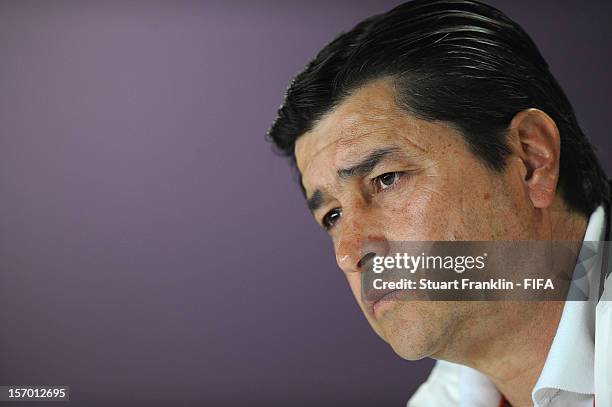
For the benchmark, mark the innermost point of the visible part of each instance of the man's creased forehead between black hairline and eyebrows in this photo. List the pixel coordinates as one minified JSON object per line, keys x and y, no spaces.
{"x":368,"y":118}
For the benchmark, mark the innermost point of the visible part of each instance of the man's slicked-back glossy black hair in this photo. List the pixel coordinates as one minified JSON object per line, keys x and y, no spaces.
{"x":456,"y":61}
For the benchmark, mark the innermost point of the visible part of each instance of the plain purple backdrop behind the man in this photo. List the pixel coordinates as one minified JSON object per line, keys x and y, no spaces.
{"x":152,"y":248}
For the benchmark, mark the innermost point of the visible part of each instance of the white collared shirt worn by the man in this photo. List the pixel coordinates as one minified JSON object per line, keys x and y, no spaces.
{"x":571,"y":374}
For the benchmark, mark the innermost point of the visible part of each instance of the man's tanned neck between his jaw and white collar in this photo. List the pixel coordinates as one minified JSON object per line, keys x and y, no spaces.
{"x":510,"y":340}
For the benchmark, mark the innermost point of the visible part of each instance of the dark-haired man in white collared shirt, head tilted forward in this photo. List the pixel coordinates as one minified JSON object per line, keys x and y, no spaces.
{"x":440,"y":121}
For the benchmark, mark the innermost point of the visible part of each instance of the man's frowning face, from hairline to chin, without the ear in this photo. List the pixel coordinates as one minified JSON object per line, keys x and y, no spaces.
{"x":372,"y":172}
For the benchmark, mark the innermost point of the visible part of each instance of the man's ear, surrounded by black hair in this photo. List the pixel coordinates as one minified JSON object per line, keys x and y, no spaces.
{"x":539,"y":149}
